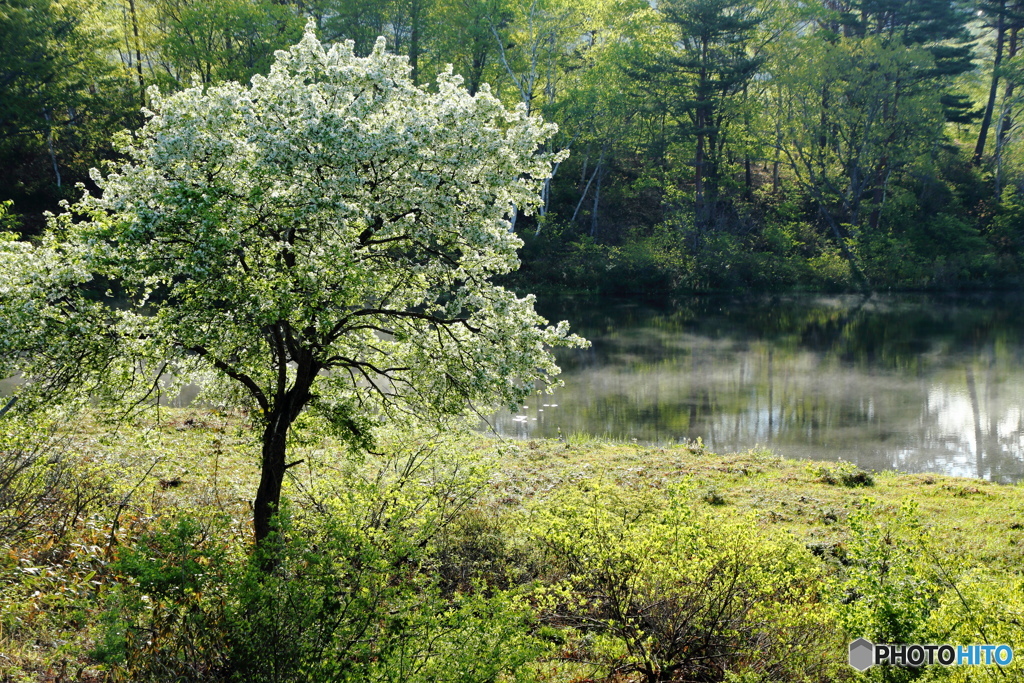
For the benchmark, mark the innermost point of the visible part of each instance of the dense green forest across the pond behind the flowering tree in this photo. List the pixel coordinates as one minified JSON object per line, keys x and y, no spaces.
{"x":715,"y":145}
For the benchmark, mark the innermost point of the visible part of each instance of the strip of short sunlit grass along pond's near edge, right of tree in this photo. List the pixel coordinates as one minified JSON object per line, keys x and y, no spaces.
{"x":980,"y":520}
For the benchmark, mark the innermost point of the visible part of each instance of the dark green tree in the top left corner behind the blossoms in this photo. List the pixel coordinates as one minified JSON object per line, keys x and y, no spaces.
{"x":59,"y":99}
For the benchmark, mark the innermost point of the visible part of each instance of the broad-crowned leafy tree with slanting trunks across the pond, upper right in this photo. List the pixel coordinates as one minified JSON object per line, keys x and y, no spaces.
{"x":858,"y":115}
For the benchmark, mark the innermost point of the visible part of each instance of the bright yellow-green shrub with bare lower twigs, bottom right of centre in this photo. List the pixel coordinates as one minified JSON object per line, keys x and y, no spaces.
{"x":662,"y":589}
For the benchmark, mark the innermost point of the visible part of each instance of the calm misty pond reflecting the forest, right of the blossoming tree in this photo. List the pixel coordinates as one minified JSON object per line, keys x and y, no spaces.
{"x":915,"y":383}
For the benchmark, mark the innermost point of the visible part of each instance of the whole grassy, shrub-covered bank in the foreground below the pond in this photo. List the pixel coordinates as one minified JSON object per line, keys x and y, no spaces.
{"x":465,"y":559}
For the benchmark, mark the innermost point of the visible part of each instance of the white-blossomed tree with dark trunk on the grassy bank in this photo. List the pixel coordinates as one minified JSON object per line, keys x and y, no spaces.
{"x":321,"y":240}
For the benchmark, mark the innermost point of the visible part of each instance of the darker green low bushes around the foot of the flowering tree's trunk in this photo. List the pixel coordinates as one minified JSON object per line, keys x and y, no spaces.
{"x":342,"y":604}
